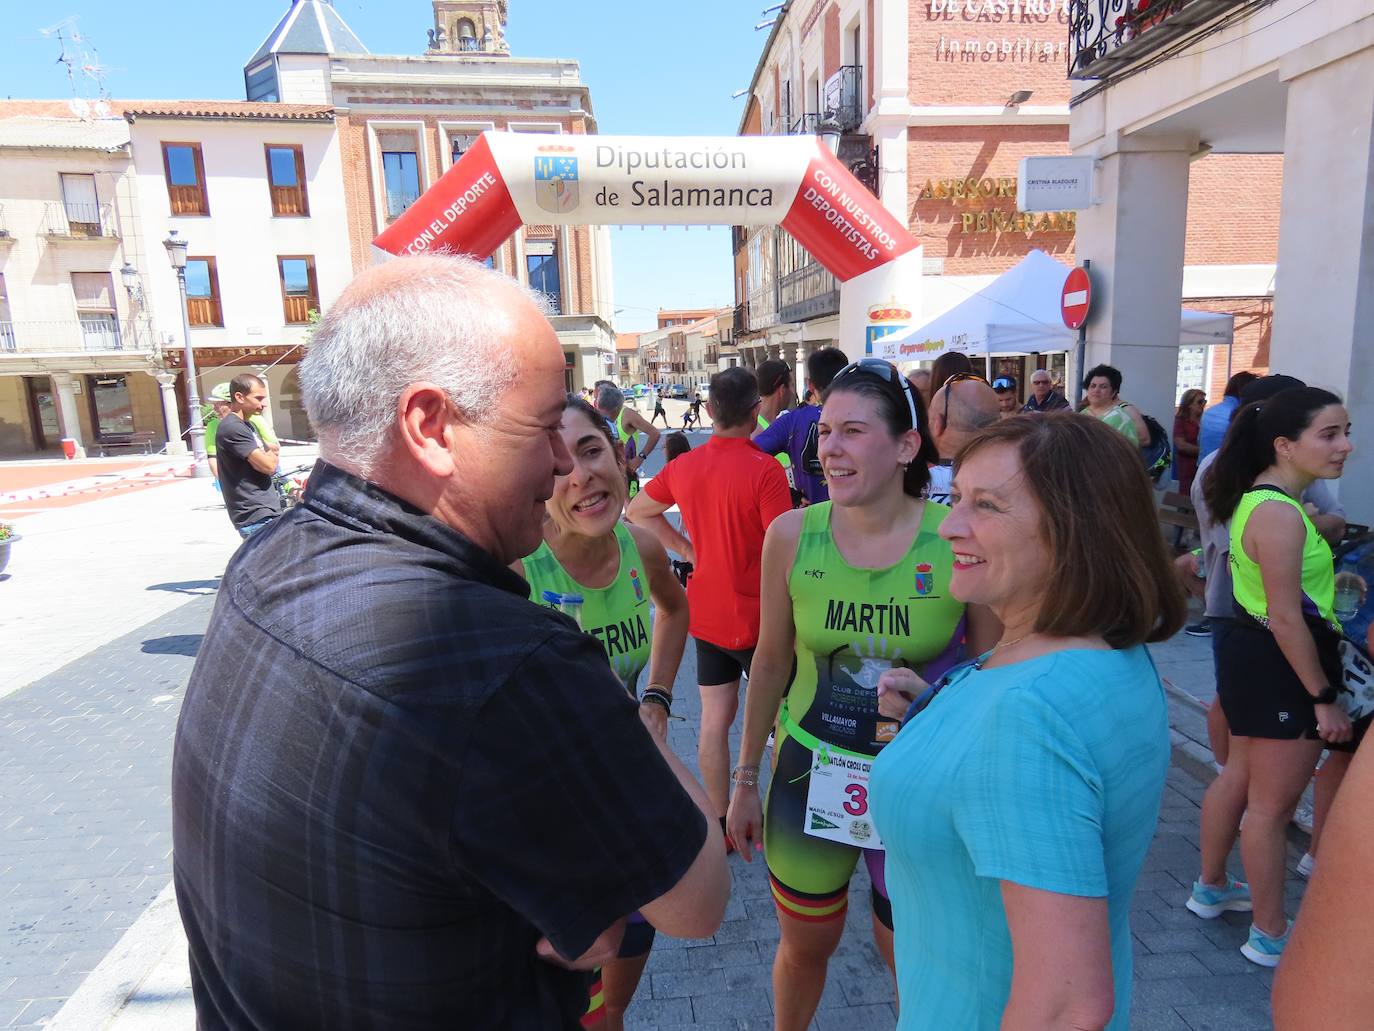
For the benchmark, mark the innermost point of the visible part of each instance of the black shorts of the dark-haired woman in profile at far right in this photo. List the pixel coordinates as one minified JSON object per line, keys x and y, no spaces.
{"x":1261,"y":694}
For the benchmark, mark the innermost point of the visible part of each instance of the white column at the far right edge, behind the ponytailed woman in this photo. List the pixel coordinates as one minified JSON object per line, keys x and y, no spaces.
{"x":1324,"y":299}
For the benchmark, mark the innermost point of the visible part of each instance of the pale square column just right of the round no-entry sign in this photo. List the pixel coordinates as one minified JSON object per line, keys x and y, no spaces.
{"x":1134,"y":237}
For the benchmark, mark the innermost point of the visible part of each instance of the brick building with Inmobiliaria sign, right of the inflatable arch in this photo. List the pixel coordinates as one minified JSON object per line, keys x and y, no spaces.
{"x":938,"y":101}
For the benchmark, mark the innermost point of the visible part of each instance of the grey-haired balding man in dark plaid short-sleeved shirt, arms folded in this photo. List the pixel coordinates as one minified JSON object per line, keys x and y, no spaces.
{"x":403,"y":795}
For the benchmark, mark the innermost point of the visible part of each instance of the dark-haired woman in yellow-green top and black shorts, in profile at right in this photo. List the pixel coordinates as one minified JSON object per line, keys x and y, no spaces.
{"x":1279,"y":669}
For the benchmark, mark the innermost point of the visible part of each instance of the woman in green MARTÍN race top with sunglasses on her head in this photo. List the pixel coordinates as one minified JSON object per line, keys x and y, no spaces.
{"x":851,"y":589}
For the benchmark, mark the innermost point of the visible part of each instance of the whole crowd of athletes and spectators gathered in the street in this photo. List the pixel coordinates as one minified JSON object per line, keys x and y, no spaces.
{"x":424,"y":779}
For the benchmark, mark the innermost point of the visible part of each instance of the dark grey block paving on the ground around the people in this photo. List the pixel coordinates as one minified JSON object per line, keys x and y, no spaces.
{"x":85,"y":760}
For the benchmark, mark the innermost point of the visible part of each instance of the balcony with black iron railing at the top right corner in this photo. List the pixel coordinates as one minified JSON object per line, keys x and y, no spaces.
{"x":1108,"y":38}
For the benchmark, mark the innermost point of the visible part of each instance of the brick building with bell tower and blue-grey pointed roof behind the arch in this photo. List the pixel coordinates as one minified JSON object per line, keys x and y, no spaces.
{"x":405,"y":120}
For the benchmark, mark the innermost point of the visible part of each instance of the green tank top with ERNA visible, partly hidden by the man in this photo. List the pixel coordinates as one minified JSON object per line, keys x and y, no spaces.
{"x":618,"y":617}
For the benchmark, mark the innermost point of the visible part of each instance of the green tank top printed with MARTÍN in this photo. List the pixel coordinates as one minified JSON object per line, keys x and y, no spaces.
{"x":851,"y":625}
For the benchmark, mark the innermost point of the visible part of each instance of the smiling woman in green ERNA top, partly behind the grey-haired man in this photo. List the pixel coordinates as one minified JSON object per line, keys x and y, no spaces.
{"x":604,"y":573}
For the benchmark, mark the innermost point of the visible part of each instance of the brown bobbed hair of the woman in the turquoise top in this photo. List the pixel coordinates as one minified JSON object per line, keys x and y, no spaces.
{"x":1111,"y":574}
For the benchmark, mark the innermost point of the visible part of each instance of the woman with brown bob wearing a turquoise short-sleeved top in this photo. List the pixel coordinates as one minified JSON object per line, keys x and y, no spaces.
{"x":1022,"y":797}
